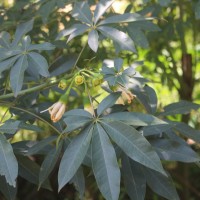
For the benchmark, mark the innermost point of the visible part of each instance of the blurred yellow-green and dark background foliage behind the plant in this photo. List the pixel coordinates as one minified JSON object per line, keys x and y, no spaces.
{"x":169,"y":51}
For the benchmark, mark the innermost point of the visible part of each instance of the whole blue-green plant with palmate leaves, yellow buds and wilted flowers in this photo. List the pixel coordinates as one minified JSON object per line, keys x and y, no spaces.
{"x":80,"y":107}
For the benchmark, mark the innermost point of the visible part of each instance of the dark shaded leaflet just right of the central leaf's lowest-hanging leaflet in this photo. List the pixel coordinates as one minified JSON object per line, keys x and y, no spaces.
{"x":134,"y":179}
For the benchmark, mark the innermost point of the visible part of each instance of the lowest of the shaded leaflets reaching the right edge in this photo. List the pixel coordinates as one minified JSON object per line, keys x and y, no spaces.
{"x":171,"y":150}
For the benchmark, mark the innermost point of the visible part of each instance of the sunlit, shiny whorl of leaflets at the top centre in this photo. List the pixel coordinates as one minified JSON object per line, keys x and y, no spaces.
{"x":91,"y":22}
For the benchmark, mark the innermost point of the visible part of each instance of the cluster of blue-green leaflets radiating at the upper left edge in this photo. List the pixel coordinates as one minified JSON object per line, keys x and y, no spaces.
{"x":18,"y":56}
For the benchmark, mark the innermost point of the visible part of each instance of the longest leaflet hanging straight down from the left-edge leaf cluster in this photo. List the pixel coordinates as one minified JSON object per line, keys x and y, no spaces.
{"x":17,"y":74}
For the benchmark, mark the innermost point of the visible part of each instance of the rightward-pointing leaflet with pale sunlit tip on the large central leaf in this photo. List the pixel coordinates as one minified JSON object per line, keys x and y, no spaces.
{"x":134,"y":118}
